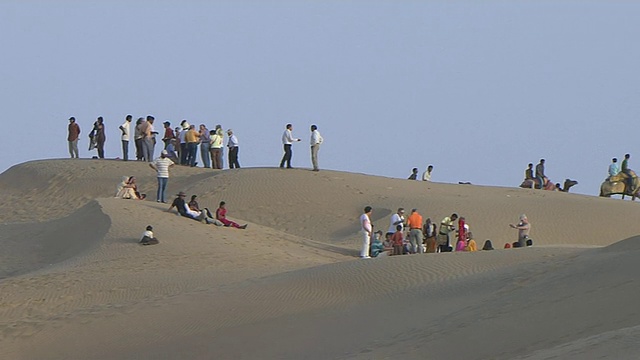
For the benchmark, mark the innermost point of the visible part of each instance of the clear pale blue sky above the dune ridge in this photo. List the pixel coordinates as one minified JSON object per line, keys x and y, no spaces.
{"x":477,"y":88}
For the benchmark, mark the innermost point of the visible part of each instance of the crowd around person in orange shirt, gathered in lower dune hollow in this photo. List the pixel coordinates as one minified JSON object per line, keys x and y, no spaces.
{"x":413,"y":236}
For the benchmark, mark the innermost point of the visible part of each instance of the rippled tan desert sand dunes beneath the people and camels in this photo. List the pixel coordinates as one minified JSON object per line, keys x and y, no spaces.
{"x":75,"y":284}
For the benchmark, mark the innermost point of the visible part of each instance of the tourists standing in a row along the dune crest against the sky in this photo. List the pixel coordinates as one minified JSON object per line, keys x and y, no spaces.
{"x":182,"y":142}
